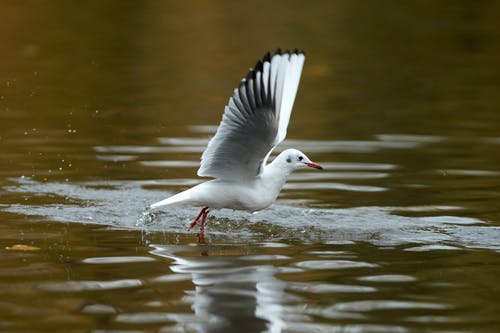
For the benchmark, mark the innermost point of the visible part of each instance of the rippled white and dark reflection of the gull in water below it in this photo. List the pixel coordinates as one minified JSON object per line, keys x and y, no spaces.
{"x":231,"y":293}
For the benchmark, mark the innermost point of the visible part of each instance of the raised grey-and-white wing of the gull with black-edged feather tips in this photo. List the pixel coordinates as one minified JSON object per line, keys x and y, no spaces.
{"x":255,"y":119}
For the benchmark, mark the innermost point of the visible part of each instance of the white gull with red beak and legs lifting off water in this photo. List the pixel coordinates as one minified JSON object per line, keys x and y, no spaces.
{"x":254,"y":122}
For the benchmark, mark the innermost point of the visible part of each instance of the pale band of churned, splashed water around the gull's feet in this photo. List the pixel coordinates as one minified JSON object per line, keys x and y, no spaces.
{"x":124,"y":203}
